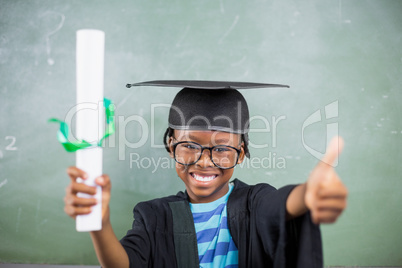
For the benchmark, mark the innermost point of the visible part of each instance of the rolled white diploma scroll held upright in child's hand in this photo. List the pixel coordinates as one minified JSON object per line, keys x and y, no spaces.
{"x":90,"y":117}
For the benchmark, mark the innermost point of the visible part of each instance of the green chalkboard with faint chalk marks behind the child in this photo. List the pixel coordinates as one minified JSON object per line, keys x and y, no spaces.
{"x":342,"y":59}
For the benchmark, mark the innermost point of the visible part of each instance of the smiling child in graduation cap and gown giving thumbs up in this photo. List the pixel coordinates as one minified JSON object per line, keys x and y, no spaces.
{"x":217,"y":222}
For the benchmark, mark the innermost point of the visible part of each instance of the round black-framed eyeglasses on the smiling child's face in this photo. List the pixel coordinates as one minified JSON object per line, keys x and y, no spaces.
{"x":222,"y":156}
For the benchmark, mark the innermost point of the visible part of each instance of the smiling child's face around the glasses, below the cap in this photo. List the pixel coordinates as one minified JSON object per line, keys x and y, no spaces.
{"x":204,"y":181}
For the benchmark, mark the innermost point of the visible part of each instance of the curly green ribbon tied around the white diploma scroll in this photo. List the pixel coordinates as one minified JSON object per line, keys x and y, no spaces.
{"x":62,"y":134}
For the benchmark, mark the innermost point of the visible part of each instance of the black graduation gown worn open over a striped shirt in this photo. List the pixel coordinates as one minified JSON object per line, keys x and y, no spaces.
{"x":163,"y":233}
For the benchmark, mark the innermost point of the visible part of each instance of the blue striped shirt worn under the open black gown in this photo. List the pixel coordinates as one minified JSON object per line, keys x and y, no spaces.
{"x":215,"y":244}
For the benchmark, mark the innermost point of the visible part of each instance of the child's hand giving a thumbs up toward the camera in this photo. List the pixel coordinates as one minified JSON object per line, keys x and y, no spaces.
{"x":325,"y":194}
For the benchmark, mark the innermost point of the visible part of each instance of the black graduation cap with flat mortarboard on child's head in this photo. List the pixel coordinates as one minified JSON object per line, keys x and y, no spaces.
{"x":208,"y":105}
